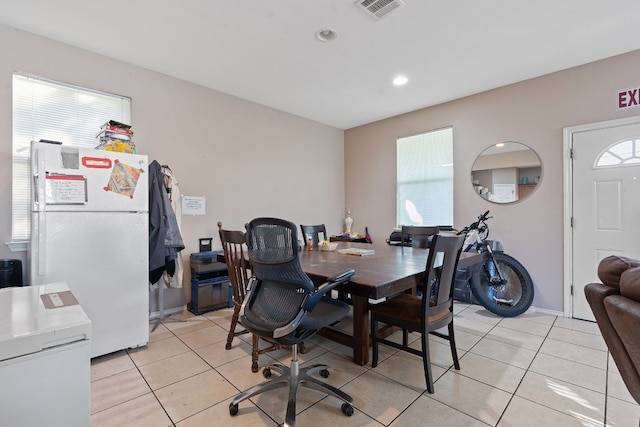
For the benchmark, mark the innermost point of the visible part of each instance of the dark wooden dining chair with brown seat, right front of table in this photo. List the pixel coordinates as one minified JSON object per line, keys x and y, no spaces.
{"x":424,"y":314}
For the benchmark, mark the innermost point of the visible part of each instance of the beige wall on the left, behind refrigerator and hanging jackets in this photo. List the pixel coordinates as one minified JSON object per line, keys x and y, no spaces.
{"x":246,"y":159}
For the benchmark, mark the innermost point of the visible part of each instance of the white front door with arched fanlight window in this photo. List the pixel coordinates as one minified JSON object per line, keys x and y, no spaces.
{"x":605,"y":202}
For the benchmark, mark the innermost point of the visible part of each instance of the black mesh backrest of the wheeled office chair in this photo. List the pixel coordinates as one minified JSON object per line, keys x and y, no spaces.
{"x":281,"y":284}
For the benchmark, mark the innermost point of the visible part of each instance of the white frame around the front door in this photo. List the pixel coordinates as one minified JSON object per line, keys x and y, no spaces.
{"x":568,"y":133}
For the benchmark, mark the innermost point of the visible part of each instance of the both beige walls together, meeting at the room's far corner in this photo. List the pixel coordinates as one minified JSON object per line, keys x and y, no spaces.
{"x":249,"y":160}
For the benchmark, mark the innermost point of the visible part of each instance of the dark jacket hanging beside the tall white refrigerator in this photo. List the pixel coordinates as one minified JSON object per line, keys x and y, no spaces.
{"x":165,"y":241}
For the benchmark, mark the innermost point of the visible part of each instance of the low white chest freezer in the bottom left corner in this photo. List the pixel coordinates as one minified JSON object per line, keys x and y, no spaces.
{"x":45,"y":365}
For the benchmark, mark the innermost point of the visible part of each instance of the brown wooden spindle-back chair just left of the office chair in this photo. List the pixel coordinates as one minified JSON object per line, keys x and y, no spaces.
{"x":239,"y":271}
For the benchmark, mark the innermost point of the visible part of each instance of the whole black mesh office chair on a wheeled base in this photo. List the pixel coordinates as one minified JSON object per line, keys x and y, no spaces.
{"x":283,"y":306}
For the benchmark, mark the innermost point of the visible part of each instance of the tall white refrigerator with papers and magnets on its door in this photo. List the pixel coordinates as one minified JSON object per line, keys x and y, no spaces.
{"x":89,"y":228}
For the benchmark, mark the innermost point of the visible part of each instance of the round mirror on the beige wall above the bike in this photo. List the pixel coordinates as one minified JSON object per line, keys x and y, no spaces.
{"x":506,"y":172}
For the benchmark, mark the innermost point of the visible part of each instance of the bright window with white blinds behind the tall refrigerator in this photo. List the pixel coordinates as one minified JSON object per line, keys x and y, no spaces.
{"x":44,"y":109}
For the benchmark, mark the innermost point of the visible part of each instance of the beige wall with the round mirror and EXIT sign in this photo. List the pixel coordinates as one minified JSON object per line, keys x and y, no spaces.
{"x":533,"y":112}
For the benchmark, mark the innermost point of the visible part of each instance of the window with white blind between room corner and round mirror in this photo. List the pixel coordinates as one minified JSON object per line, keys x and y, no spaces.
{"x":425,"y":178}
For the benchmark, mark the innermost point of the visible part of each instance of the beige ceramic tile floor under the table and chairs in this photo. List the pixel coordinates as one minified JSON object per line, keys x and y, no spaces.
{"x":533,"y":370}
